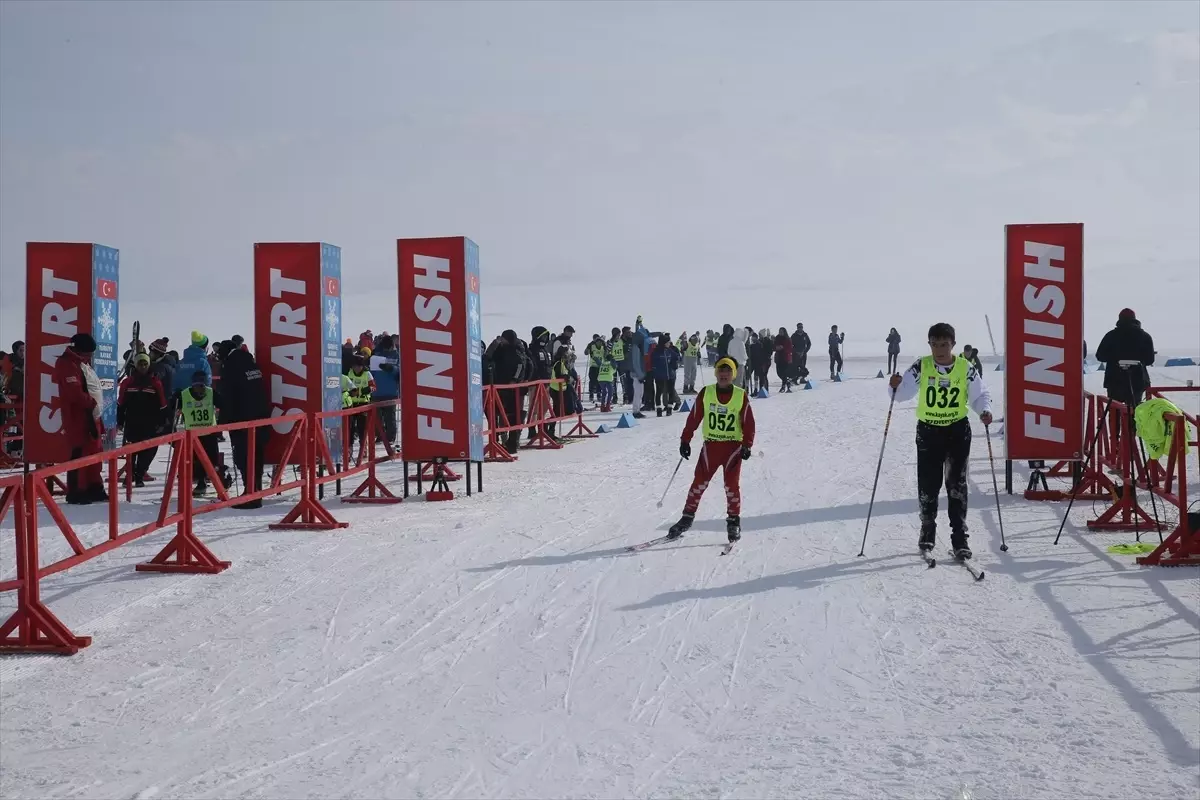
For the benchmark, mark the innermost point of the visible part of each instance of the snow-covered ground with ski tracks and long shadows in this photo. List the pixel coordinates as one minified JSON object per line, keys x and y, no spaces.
{"x":508,"y":646}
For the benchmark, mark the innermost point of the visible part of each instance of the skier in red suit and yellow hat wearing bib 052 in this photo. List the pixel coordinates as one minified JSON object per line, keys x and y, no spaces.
{"x":723,"y":413}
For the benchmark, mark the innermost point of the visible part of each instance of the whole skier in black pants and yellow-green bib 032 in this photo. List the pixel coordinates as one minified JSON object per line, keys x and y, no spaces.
{"x":945,"y":387}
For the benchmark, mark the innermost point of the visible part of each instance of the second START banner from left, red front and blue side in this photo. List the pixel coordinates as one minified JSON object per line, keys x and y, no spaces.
{"x":298,"y":332}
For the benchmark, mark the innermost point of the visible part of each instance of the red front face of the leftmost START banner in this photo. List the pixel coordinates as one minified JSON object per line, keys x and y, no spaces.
{"x":58,"y":305}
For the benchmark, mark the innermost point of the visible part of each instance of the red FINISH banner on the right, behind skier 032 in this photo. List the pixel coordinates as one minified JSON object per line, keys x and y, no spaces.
{"x":1045,"y":342}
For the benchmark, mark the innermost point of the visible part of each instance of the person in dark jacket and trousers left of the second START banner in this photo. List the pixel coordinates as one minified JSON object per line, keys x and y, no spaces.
{"x":244,"y":399}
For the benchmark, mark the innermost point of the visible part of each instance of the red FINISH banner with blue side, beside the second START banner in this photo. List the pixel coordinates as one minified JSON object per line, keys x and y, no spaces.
{"x":441,"y":350}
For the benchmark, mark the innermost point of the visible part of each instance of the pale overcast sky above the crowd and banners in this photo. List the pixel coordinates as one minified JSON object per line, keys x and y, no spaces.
{"x":844,"y":164}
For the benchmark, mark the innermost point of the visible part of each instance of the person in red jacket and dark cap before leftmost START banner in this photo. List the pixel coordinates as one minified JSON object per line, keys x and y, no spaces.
{"x":82,"y":405}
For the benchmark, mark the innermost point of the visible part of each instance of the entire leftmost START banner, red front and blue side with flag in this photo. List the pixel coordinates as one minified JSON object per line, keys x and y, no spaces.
{"x":70,"y":288}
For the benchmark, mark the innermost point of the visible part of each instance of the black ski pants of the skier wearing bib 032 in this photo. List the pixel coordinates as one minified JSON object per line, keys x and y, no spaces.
{"x":943,"y":456}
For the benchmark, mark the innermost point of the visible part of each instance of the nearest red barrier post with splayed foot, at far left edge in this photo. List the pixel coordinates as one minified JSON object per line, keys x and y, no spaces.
{"x":34,"y":628}
